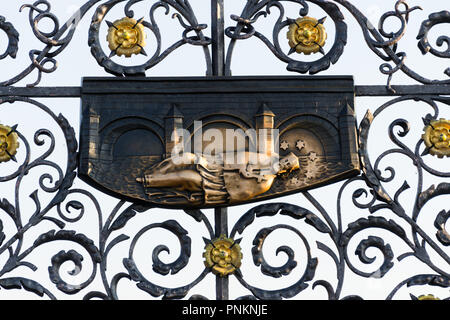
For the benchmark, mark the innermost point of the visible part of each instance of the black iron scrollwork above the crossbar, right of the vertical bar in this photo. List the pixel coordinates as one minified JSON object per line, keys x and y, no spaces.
{"x":383,"y":43}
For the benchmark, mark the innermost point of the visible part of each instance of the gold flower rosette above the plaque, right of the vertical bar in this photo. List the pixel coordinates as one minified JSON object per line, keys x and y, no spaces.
{"x":306,"y":35}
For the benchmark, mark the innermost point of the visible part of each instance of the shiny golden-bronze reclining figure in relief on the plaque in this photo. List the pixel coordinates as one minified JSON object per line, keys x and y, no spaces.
{"x":214,"y":181}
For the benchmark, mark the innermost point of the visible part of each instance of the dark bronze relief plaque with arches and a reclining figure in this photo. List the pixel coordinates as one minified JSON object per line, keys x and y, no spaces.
{"x":206,"y":142}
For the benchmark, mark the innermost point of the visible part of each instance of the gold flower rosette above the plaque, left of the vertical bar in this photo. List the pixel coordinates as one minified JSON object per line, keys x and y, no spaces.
{"x":126,"y":37}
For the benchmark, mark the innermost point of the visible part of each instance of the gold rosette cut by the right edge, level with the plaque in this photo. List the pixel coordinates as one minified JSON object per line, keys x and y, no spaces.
{"x":437,"y":138}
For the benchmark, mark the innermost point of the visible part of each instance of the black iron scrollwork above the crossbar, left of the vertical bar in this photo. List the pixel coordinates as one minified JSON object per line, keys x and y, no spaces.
{"x":56,"y":41}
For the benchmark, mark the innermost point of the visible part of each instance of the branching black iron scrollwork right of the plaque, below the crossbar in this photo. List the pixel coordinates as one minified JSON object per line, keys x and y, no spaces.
{"x":420,"y":242}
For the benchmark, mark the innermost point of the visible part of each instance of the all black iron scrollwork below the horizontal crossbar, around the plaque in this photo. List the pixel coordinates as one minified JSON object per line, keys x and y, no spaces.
{"x":416,"y":238}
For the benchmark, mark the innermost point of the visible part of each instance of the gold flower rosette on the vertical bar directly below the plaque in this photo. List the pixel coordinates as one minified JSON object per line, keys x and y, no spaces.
{"x":223,"y":255}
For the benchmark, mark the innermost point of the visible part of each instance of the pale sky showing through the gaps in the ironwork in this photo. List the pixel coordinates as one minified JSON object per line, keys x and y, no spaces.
{"x":251,"y":57}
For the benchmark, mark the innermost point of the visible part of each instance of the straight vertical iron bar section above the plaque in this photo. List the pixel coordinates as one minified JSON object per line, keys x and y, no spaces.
{"x":218,"y":37}
